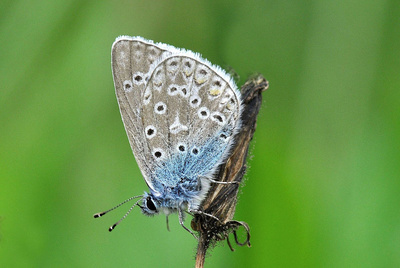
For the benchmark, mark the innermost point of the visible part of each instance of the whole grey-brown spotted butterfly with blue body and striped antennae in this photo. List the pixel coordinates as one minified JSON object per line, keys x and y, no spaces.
{"x":180,"y":113}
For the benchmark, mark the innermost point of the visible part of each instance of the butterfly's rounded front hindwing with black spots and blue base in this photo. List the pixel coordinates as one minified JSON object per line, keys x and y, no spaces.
{"x":191,"y":111}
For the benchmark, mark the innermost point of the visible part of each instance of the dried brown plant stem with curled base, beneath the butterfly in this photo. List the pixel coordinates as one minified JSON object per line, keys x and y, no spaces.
{"x":221,"y":200}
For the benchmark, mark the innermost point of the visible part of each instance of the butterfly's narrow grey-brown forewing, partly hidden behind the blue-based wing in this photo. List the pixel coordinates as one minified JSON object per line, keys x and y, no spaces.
{"x":131,"y":61}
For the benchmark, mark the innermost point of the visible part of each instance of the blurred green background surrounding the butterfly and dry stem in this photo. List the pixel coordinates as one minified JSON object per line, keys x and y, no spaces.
{"x":323,"y":188}
